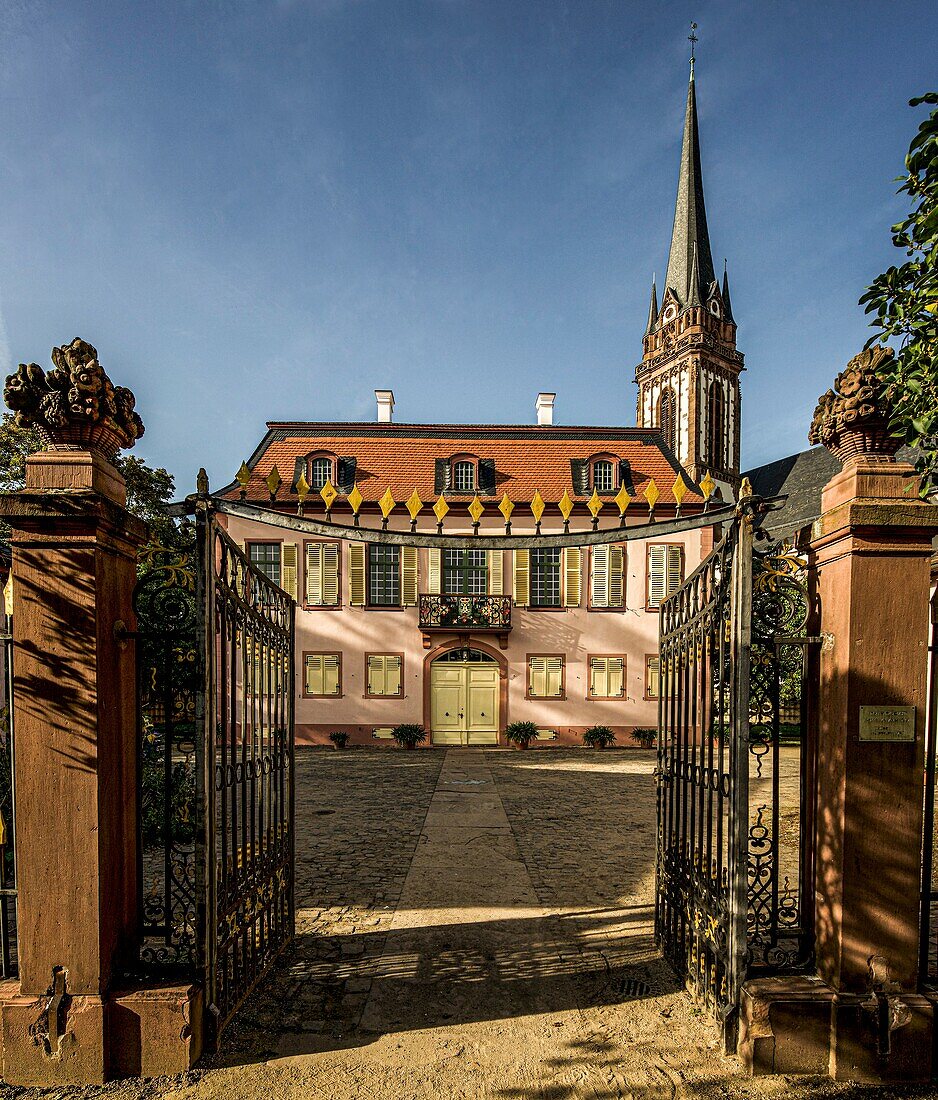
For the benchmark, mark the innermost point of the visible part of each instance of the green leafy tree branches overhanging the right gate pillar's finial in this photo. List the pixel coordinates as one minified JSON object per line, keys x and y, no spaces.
{"x":904,"y":302}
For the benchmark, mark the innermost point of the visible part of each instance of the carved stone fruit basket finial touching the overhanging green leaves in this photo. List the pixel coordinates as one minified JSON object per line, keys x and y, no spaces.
{"x":853,"y":420}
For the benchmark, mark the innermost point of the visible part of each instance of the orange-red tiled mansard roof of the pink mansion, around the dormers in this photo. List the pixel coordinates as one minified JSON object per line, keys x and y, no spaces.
{"x":403,"y":458}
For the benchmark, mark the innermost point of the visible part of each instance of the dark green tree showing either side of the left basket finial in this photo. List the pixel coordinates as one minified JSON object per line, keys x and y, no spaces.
{"x":149,"y":490}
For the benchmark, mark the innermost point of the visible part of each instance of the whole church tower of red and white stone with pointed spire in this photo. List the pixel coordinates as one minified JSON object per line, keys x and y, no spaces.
{"x":689,"y":377}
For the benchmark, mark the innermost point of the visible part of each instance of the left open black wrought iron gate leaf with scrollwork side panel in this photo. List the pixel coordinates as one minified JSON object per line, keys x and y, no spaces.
{"x":216,"y":659}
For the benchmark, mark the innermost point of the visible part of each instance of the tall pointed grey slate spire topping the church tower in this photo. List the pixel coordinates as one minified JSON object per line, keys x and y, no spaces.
{"x":690,"y":233}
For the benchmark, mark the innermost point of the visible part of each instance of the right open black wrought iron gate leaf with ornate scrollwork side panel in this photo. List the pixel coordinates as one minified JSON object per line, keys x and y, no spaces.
{"x":733,"y":857}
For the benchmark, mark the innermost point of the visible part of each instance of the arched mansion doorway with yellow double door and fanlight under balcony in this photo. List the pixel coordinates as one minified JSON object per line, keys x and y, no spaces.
{"x":465,"y":696}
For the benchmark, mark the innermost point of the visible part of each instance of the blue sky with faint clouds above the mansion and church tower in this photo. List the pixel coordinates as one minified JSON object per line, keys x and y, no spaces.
{"x":268,"y":211}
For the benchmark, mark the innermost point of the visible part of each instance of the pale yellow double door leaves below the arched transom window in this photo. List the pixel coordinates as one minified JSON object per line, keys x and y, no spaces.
{"x":465,"y":705}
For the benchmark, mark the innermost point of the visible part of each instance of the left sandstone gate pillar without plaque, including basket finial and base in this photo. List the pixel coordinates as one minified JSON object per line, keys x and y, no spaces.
{"x":74,"y":566}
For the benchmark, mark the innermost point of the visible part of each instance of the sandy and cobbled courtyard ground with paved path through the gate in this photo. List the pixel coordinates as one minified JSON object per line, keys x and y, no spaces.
{"x":501,"y":947}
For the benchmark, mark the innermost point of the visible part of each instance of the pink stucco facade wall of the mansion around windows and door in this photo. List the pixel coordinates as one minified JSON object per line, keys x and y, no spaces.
{"x":577,"y":633}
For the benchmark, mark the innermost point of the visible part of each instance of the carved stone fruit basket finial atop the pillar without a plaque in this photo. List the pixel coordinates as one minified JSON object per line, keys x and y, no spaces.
{"x":74,"y":406}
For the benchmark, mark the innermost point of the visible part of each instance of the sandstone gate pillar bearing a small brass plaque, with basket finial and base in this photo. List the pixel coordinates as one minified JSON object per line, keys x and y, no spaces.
{"x":862,"y":1017}
